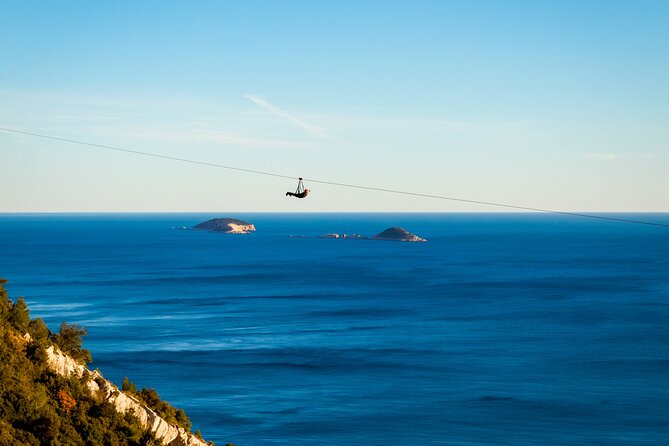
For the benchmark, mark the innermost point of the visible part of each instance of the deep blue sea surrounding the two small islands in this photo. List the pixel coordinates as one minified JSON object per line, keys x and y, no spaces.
{"x":502,"y":329}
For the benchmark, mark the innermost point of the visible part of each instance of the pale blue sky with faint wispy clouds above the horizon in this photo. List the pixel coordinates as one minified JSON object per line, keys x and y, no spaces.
{"x":554,"y":104}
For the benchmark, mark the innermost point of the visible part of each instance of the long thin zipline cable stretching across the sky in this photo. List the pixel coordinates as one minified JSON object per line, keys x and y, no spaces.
{"x":332,"y":183}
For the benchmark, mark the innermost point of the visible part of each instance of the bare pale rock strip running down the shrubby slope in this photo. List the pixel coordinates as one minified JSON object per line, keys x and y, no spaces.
{"x":168,"y":434}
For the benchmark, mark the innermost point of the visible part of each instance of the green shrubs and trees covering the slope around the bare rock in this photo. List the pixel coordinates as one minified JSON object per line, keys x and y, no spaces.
{"x":40,"y":407}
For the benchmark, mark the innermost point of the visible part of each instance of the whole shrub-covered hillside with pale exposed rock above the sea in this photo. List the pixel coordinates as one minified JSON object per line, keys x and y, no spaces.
{"x":49,"y":397}
